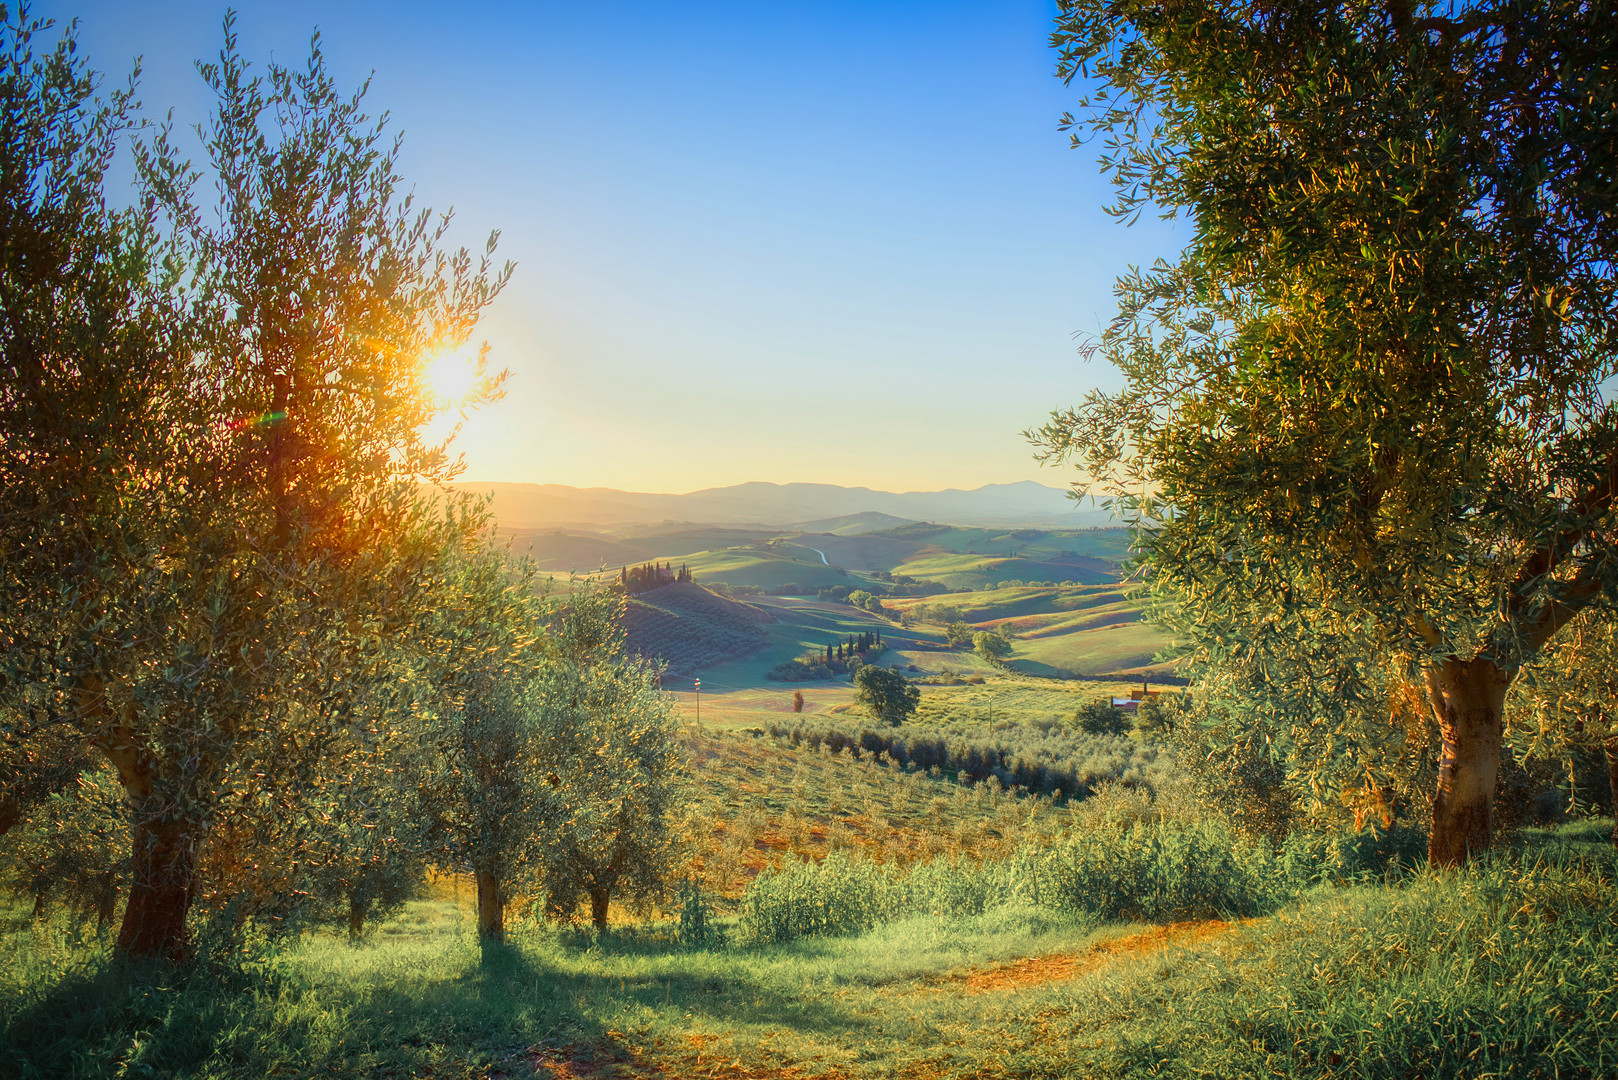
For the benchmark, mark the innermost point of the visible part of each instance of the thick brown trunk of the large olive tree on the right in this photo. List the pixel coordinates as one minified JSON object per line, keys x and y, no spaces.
{"x":1468,"y":697}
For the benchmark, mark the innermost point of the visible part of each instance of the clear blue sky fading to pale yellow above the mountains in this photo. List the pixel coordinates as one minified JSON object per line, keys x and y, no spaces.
{"x":786,"y":240}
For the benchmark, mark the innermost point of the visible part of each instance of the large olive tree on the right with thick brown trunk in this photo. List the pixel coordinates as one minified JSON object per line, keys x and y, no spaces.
{"x":1365,"y":407}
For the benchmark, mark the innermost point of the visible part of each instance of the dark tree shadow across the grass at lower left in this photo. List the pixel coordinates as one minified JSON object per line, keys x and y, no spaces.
{"x":274,"y":1016}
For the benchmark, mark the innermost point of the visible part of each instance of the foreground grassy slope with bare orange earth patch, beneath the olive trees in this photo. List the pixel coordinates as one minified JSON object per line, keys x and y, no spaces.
{"x":1496,"y":972}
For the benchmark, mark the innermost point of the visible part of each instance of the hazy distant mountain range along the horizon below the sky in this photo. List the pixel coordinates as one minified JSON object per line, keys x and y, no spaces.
{"x":1027,"y":503}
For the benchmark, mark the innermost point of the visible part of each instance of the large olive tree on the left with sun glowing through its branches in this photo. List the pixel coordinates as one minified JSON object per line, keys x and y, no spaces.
{"x":208,"y":440}
